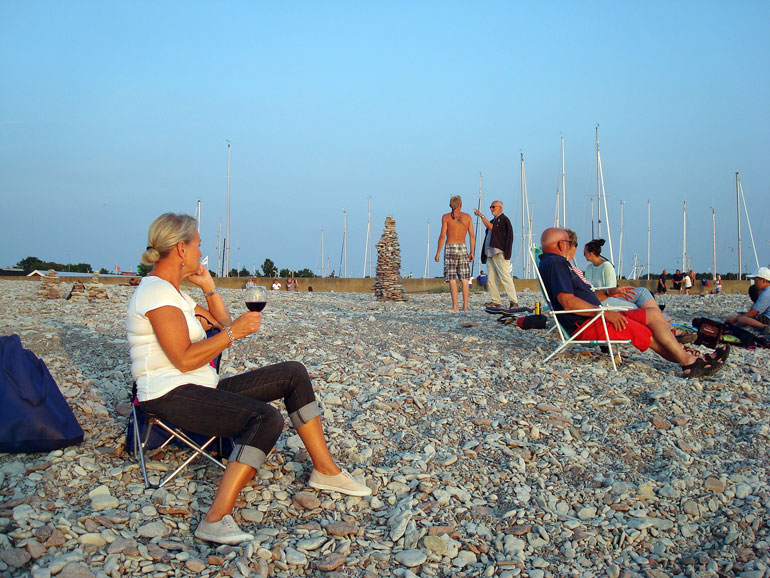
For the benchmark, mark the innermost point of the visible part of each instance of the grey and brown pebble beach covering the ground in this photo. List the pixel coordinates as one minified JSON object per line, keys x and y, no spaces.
{"x":483,"y":460}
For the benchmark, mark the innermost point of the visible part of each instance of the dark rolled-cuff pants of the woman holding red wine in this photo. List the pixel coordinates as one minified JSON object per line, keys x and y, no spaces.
{"x":238,"y":408}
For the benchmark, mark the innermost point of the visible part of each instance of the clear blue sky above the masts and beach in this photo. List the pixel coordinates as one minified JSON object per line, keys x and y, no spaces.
{"x":114,"y":112}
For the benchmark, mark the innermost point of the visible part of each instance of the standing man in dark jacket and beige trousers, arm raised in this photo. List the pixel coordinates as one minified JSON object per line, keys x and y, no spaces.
{"x":498,"y":246}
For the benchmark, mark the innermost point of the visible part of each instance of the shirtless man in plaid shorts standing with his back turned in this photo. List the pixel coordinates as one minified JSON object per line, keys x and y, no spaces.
{"x":454,"y":226}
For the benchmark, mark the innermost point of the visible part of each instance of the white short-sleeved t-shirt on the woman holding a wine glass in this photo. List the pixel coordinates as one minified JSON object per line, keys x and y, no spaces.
{"x":155,"y":375}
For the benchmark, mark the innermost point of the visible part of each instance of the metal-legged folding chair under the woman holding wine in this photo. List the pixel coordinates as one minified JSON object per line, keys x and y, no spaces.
{"x":141,"y":444}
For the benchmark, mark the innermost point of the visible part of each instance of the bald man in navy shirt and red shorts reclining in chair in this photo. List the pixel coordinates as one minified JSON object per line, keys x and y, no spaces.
{"x":645,"y":328}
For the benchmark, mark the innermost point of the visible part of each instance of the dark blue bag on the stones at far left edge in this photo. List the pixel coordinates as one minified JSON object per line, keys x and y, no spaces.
{"x":34,"y":416}
